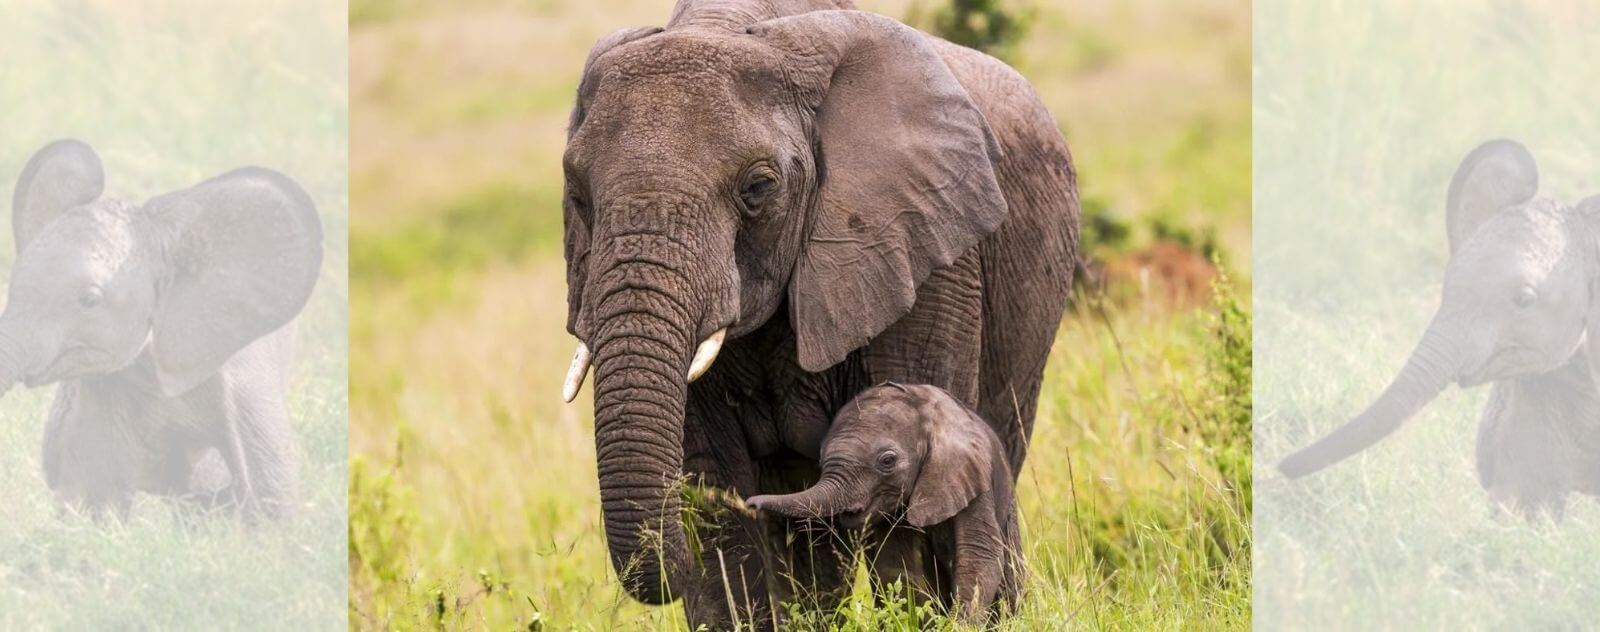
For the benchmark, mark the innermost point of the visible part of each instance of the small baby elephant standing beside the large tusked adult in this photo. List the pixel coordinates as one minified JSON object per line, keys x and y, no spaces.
{"x":914,"y":455}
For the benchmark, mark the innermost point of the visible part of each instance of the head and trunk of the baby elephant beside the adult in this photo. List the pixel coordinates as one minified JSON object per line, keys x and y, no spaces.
{"x":897,"y":449}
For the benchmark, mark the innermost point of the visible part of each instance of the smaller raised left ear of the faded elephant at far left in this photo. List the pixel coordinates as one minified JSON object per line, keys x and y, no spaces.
{"x":63,"y":175}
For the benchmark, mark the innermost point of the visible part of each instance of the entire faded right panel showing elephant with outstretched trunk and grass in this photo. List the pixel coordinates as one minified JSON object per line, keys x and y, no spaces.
{"x":1428,"y":298}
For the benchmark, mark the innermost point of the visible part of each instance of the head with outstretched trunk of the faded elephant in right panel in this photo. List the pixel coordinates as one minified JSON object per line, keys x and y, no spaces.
{"x":1519,"y":297}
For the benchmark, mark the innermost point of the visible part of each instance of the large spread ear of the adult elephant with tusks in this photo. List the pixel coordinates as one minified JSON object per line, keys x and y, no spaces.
{"x":908,"y":175}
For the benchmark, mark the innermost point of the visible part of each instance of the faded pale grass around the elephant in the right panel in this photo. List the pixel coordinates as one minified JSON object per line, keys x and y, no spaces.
{"x":1362,"y":116}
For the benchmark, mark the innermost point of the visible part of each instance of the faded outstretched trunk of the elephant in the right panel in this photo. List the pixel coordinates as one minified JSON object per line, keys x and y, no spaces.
{"x":1433,"y":366}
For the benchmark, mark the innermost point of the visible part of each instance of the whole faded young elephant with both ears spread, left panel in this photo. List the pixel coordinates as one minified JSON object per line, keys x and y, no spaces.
{"x":169,"y":329}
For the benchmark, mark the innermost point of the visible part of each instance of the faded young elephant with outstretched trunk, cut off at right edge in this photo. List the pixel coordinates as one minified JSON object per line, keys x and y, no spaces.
{"x":1521,"y":306}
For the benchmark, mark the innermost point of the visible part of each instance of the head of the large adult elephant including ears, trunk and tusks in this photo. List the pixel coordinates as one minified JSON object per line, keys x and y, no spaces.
{"x":828,"y":162}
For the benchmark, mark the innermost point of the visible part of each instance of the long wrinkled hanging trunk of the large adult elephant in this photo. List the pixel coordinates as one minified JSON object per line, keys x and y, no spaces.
{"x":641,"y":391}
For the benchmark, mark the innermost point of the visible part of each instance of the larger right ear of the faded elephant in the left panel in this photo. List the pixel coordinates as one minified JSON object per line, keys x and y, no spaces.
{"x":242,"y":257}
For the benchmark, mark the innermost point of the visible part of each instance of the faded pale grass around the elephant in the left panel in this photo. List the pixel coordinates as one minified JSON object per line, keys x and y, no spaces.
{"x":172,"y":94}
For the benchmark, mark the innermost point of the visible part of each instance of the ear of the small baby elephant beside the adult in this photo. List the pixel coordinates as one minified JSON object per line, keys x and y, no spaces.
{"x":959,"y":463}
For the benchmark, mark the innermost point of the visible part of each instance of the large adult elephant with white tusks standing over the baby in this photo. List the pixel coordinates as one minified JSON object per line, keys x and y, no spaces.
{"x":857,"y":202}
